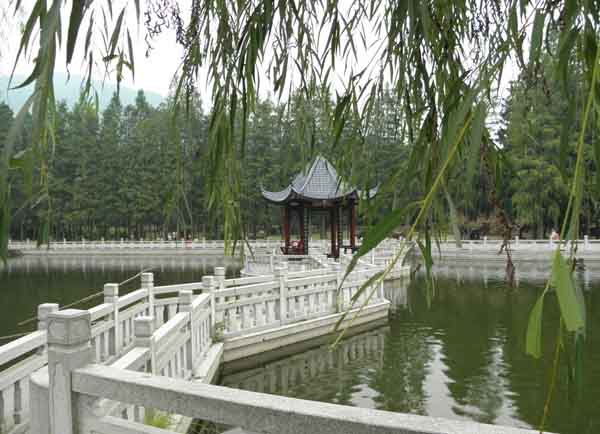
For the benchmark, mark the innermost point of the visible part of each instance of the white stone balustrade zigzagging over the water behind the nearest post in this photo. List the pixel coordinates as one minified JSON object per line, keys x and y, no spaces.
{"x":170,"y":330}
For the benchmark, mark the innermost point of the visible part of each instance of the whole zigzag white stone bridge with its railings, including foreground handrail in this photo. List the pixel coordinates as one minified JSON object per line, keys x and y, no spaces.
{"x":100,"y":370}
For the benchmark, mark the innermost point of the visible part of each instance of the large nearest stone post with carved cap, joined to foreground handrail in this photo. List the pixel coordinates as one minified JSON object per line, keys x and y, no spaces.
{"x":69,"y":335}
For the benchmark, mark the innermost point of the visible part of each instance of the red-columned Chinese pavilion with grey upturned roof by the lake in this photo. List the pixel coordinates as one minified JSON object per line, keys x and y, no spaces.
{"x":316,"y":191}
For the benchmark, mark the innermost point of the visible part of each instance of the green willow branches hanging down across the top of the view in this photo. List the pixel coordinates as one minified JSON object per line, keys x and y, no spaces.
{"x":443,"y":59}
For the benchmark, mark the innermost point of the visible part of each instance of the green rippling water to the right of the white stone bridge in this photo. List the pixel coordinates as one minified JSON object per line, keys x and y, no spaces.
{"x":462,"y":357}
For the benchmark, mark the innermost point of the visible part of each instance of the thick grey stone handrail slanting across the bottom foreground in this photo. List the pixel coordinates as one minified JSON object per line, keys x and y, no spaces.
{"x":252,"y":411}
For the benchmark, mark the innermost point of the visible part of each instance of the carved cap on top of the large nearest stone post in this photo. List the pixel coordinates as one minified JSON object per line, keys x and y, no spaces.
{"x":69,"y":327}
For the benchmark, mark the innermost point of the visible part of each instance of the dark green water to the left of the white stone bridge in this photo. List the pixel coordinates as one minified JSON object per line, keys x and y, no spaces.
{"x":28,"y":281}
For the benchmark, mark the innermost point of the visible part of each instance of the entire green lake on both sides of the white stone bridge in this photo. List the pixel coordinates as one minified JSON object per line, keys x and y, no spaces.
{"x":457,"y":354}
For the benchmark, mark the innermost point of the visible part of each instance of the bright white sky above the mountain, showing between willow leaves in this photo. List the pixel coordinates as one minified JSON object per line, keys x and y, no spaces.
{"x":153,"y":72}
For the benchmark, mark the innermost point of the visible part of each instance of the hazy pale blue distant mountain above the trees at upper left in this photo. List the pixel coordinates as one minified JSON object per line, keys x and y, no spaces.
{"x":69,"y":91}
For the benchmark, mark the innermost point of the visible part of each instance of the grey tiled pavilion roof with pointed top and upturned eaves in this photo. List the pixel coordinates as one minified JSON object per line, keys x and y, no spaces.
{"x":319,"y":182}
